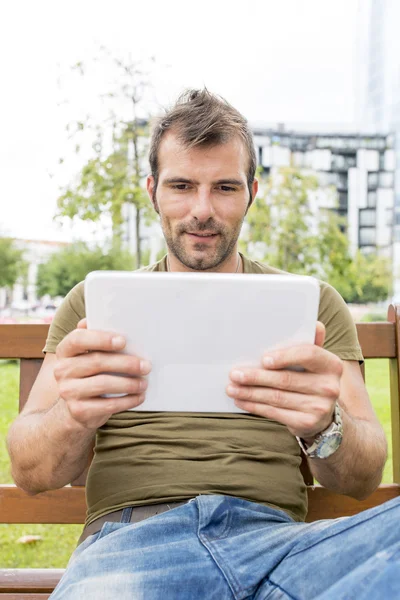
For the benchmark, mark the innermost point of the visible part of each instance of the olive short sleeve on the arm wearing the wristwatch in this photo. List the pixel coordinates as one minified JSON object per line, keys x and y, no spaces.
{"x":341,"y":333}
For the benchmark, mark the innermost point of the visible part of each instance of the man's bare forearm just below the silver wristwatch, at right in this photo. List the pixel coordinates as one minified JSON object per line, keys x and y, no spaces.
{"x":355,"y":469}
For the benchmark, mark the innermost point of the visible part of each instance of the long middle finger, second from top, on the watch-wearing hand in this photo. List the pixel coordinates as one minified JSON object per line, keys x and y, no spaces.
{"x":311,"y":384}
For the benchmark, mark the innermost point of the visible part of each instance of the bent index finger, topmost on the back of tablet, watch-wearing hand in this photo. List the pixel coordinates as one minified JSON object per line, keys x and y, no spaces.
{"x":312,"y":358}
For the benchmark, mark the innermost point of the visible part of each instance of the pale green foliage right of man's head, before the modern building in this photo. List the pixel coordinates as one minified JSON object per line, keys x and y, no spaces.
{"x":282,"y":225}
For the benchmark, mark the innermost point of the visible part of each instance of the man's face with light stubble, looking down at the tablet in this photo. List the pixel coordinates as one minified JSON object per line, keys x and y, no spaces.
{"x":202,"y":198}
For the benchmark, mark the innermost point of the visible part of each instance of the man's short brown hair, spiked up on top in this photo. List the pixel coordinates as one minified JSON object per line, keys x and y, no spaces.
{"x":200,"y":118}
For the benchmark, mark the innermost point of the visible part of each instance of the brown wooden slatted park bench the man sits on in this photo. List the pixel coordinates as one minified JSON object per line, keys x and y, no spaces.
{"x":67,"y":505}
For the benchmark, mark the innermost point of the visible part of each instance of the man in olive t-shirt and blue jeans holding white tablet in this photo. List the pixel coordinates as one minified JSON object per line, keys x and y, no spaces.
{"x":210,"y":505}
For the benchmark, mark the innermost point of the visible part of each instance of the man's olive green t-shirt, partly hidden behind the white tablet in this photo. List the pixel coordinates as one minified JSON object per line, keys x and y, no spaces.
{"x":153,"y":457}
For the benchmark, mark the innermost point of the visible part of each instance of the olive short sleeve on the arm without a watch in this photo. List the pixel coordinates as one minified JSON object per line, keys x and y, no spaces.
{"x":68,"y":315}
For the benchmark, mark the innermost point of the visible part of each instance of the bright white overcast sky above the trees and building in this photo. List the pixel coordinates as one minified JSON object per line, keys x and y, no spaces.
{"x":277,"y":61}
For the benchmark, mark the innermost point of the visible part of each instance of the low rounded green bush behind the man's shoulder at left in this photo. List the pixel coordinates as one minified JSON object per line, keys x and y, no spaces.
{"x":68,"y":267}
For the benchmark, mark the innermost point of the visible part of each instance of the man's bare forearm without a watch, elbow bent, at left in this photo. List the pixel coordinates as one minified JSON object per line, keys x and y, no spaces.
{"x":47,"y":449}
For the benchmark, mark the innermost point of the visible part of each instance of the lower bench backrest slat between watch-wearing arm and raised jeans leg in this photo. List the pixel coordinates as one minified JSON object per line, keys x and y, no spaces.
{"x":323,"y":504}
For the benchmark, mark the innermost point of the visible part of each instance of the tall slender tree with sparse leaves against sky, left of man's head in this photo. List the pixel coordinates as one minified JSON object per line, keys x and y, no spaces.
{"x":114,"y":179}
